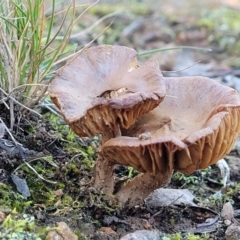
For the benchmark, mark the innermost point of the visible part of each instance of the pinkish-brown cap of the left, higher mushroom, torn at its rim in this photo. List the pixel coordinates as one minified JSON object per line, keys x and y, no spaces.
{"x":103,"y":87}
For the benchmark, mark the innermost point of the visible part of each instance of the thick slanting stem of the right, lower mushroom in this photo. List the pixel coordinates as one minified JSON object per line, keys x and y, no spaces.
{"x":136,"y":190}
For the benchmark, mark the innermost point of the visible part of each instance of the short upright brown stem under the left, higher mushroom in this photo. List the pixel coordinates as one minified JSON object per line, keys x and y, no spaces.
{"x":104,"y":176}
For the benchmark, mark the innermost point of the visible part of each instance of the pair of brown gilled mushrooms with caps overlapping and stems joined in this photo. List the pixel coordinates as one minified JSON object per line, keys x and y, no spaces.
{"x":152,"y":123}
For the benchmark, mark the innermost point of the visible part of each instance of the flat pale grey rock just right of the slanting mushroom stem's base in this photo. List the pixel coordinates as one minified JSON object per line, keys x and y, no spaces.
{"x":165,"y":197}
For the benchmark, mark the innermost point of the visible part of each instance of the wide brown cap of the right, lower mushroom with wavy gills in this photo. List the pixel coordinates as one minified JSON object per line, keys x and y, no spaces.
{"x":191,"y":129}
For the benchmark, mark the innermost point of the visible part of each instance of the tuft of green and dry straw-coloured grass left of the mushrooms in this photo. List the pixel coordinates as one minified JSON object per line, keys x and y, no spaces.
{"x":29,"y":48}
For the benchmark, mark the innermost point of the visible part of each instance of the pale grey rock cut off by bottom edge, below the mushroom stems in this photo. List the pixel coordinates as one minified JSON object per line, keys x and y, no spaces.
{"x":143,"y":235}
